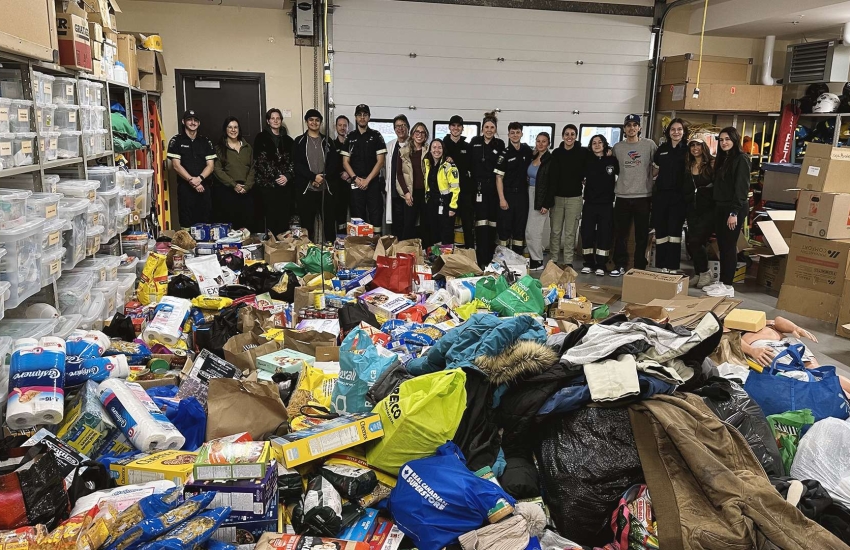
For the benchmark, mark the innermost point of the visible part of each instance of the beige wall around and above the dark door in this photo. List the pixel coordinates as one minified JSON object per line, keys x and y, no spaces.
{"x":223,"y":38}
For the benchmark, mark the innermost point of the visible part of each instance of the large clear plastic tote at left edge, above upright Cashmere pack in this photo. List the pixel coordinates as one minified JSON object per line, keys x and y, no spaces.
{"x":21,"y":265}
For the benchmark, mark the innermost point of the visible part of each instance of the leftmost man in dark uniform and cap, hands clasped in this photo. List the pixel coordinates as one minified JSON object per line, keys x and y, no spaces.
{"x":193,"y":158}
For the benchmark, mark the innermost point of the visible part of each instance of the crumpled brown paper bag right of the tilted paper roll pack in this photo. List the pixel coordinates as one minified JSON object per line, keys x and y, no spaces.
{"x":239,"y":406}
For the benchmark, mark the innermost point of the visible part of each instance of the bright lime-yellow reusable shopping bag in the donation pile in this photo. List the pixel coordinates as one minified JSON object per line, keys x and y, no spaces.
{"x":418,"y":416}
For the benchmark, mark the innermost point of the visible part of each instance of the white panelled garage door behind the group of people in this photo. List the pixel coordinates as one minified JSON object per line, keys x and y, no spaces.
{"x":430,"y":61}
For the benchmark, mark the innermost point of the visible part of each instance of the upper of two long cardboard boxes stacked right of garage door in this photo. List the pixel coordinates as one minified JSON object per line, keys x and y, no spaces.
{"x":715,"y":70}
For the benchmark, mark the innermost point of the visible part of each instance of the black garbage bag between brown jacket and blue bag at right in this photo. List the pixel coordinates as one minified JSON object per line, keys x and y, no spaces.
{"x":733,"y":405}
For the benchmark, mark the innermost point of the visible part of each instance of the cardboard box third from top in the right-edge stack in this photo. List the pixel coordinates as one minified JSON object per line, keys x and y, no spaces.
{"x":817,"y":264}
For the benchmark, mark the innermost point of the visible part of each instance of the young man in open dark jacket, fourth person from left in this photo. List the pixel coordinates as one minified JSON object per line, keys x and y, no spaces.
{"x":315,"y":158}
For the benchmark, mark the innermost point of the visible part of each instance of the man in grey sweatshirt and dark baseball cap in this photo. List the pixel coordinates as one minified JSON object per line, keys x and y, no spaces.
{"x":633,"y":194}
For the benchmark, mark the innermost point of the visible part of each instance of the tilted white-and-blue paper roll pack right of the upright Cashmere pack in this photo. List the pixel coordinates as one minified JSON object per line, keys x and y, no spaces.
{"x":138,"y":416}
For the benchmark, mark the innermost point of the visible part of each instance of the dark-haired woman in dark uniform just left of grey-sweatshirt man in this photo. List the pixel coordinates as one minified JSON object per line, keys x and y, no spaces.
{"x":597,"y":215}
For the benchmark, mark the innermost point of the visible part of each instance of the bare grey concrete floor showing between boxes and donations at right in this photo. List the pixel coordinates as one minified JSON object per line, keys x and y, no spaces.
{"x":830,"y":349}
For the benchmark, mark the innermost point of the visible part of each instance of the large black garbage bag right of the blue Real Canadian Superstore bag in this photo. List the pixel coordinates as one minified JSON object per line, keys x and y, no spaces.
{"x":587,"y":460}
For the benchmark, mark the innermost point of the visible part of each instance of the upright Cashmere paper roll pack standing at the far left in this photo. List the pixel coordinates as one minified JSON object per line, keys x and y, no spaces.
{"x":36,"y":382}
